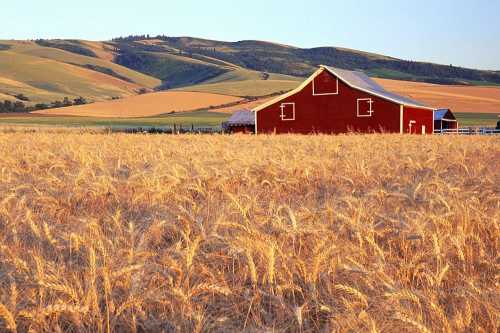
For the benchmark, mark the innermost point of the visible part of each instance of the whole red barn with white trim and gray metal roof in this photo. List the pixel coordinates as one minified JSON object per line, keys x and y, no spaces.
{"x":338,"y":101}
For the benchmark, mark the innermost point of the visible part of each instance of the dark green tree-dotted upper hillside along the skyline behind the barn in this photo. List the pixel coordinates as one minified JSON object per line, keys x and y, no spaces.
{"x":276,"y":58}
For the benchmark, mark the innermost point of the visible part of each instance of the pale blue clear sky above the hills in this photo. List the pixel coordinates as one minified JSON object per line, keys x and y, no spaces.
{"x":462,"y":33}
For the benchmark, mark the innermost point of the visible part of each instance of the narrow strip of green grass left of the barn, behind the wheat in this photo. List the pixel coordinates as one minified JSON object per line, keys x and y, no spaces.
{"x":186,"y":119}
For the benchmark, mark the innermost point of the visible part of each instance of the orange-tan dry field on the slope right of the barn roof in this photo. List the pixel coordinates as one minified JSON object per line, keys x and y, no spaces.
{"x":458,"y":98}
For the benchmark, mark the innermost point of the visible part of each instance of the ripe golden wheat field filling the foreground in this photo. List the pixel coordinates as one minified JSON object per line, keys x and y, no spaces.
{"x":363,"y":233}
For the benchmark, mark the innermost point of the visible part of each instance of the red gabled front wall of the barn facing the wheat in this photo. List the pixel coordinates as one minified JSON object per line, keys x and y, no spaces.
{"x":330,"y":113}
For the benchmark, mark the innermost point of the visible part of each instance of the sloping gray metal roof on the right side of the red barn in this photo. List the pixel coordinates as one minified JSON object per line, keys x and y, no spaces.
{"x":363,"y":82}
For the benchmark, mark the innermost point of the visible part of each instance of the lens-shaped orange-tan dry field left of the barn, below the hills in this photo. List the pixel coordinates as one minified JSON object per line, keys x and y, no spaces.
{"x":145,"y":105}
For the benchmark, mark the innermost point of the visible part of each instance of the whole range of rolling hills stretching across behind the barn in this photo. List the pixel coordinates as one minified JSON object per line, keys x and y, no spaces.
{"x":48,"y":70}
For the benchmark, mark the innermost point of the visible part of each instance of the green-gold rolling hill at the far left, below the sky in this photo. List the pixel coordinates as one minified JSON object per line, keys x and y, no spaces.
{"x":45,"y":74}
